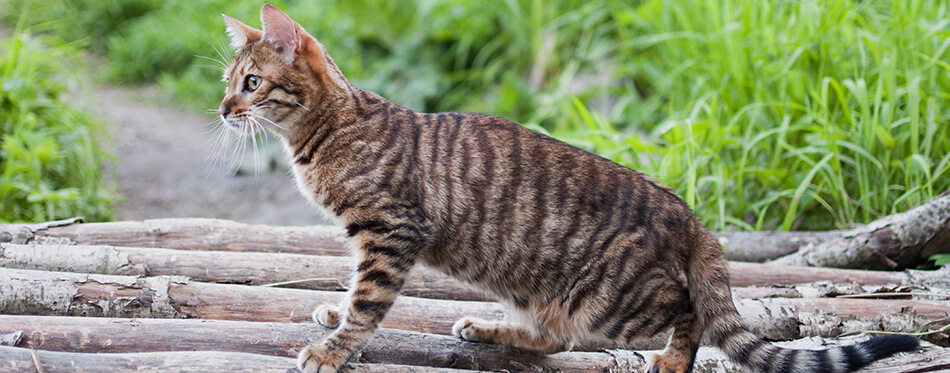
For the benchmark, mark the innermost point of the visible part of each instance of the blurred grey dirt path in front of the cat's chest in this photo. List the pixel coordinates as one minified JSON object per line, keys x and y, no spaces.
{"x":164,"y":168}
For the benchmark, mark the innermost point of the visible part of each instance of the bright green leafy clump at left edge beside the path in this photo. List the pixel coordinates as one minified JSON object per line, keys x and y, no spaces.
{"x":51,"y":162}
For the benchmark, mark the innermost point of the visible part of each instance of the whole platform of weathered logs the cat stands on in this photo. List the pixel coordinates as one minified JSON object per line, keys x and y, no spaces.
{"x":197,"y":295}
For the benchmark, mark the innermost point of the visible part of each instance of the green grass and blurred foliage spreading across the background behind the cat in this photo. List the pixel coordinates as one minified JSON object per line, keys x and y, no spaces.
{"x":762,"y":115}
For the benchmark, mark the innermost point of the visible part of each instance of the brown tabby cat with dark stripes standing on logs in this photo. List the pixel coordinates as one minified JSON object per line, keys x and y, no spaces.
{"x":578,"y":245}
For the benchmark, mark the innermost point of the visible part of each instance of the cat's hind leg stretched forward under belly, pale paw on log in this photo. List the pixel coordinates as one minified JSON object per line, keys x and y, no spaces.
{"x":478,"y":330}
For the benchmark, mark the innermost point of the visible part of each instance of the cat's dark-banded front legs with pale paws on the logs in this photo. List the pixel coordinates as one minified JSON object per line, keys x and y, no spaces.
{"x":384,"y":264}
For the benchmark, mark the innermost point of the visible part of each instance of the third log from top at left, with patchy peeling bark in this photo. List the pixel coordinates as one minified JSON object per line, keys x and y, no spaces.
{"x":27,"y":292}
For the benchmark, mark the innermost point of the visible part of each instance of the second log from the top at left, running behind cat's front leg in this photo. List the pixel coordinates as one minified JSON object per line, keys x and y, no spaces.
{"x":252,"y":268}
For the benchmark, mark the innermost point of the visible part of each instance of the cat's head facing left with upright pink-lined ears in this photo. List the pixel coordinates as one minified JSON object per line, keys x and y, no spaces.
{"x":279,"y":75}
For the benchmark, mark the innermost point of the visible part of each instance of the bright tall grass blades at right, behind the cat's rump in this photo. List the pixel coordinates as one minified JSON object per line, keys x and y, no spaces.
{"x":782,"y":115}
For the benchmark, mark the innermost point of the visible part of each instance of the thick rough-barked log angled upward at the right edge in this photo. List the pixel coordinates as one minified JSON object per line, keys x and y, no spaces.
{"x":893,"y":242}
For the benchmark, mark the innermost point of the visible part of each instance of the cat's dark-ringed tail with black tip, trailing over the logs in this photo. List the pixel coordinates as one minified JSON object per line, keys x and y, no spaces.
{"x":712,"y":300}
